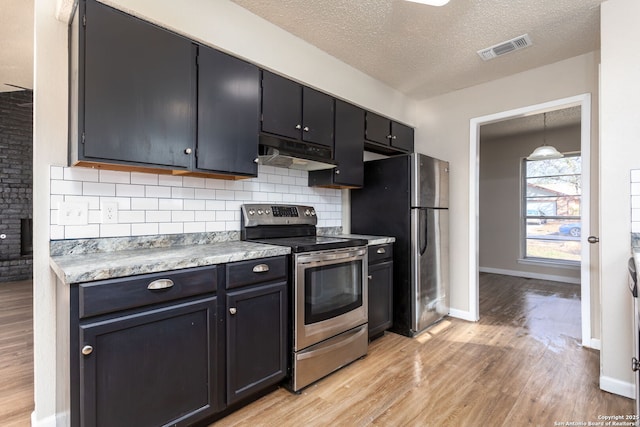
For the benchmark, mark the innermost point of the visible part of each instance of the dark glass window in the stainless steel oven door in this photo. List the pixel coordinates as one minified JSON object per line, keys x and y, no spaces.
{"x":332,"y":290}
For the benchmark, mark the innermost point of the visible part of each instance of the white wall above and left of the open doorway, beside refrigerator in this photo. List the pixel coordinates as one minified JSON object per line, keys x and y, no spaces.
{"x":443,"y":131}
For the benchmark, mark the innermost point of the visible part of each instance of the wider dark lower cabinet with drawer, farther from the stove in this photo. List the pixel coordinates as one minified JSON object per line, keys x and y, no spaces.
{"x":146,"y":351}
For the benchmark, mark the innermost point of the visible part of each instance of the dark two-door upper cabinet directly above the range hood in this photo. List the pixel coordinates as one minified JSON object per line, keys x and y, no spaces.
{"x":295,"y":111}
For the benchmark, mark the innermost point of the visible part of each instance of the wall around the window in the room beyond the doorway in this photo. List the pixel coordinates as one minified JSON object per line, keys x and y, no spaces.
{"x":500,"y":205}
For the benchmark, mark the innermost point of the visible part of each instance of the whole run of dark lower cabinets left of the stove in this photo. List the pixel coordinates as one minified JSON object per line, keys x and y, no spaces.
{"x":158,"y":349}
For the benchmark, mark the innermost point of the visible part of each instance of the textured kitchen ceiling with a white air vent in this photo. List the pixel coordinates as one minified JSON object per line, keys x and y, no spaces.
{"x":424,"y":51}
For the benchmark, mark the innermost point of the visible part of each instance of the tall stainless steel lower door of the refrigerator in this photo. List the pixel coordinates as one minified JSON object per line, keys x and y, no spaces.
{"x":430,"y":267}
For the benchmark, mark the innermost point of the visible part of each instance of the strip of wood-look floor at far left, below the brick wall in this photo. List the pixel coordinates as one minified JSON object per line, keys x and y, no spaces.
{"x":16,"y":353}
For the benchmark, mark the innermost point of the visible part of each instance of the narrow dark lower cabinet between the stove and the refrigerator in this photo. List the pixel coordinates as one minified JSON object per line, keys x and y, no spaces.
{"x":380,"y":289}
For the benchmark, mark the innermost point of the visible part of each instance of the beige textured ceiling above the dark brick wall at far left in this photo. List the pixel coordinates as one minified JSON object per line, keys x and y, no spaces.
{"x":16,"y":44}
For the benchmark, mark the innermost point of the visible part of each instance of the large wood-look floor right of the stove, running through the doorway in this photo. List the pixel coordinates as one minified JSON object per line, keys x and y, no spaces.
{"x":522,"y":364}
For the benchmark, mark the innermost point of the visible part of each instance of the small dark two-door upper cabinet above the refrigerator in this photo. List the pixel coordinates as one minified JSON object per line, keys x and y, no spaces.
{"x":387,"y":136}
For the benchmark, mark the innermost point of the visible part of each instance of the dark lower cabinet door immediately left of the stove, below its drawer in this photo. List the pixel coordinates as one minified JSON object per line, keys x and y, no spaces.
{"x":256,"y":339}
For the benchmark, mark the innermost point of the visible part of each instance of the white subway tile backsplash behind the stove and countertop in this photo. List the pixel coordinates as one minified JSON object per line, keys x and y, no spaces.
{"x":152,"y":204}
